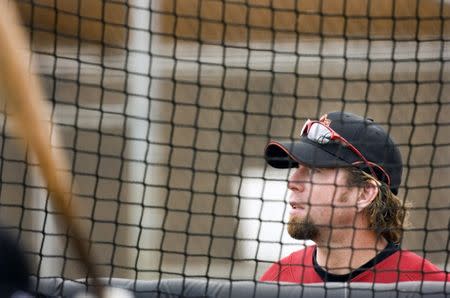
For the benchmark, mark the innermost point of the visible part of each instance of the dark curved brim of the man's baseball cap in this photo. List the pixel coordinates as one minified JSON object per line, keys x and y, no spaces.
{"x":289,"y":154}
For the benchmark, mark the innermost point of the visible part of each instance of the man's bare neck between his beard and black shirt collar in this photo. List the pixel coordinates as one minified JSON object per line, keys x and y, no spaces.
{"x":348,"y":249}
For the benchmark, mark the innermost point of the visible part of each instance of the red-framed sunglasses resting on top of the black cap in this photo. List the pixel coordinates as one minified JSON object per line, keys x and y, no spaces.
{"x":321,"y":133}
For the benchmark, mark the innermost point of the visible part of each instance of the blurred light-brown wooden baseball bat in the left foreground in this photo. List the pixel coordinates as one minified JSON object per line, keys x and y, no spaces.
{"x":23,"y":95}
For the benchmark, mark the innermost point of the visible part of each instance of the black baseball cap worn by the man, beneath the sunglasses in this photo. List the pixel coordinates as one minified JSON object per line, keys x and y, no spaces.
{"x":370,"y":139}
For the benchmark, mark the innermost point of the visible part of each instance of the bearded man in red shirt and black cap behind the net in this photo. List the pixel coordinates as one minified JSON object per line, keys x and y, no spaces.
{"x":343,"y":197}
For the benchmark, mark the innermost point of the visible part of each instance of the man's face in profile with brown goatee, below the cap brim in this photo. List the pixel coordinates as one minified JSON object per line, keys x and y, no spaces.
{"x":321,"y":202}
